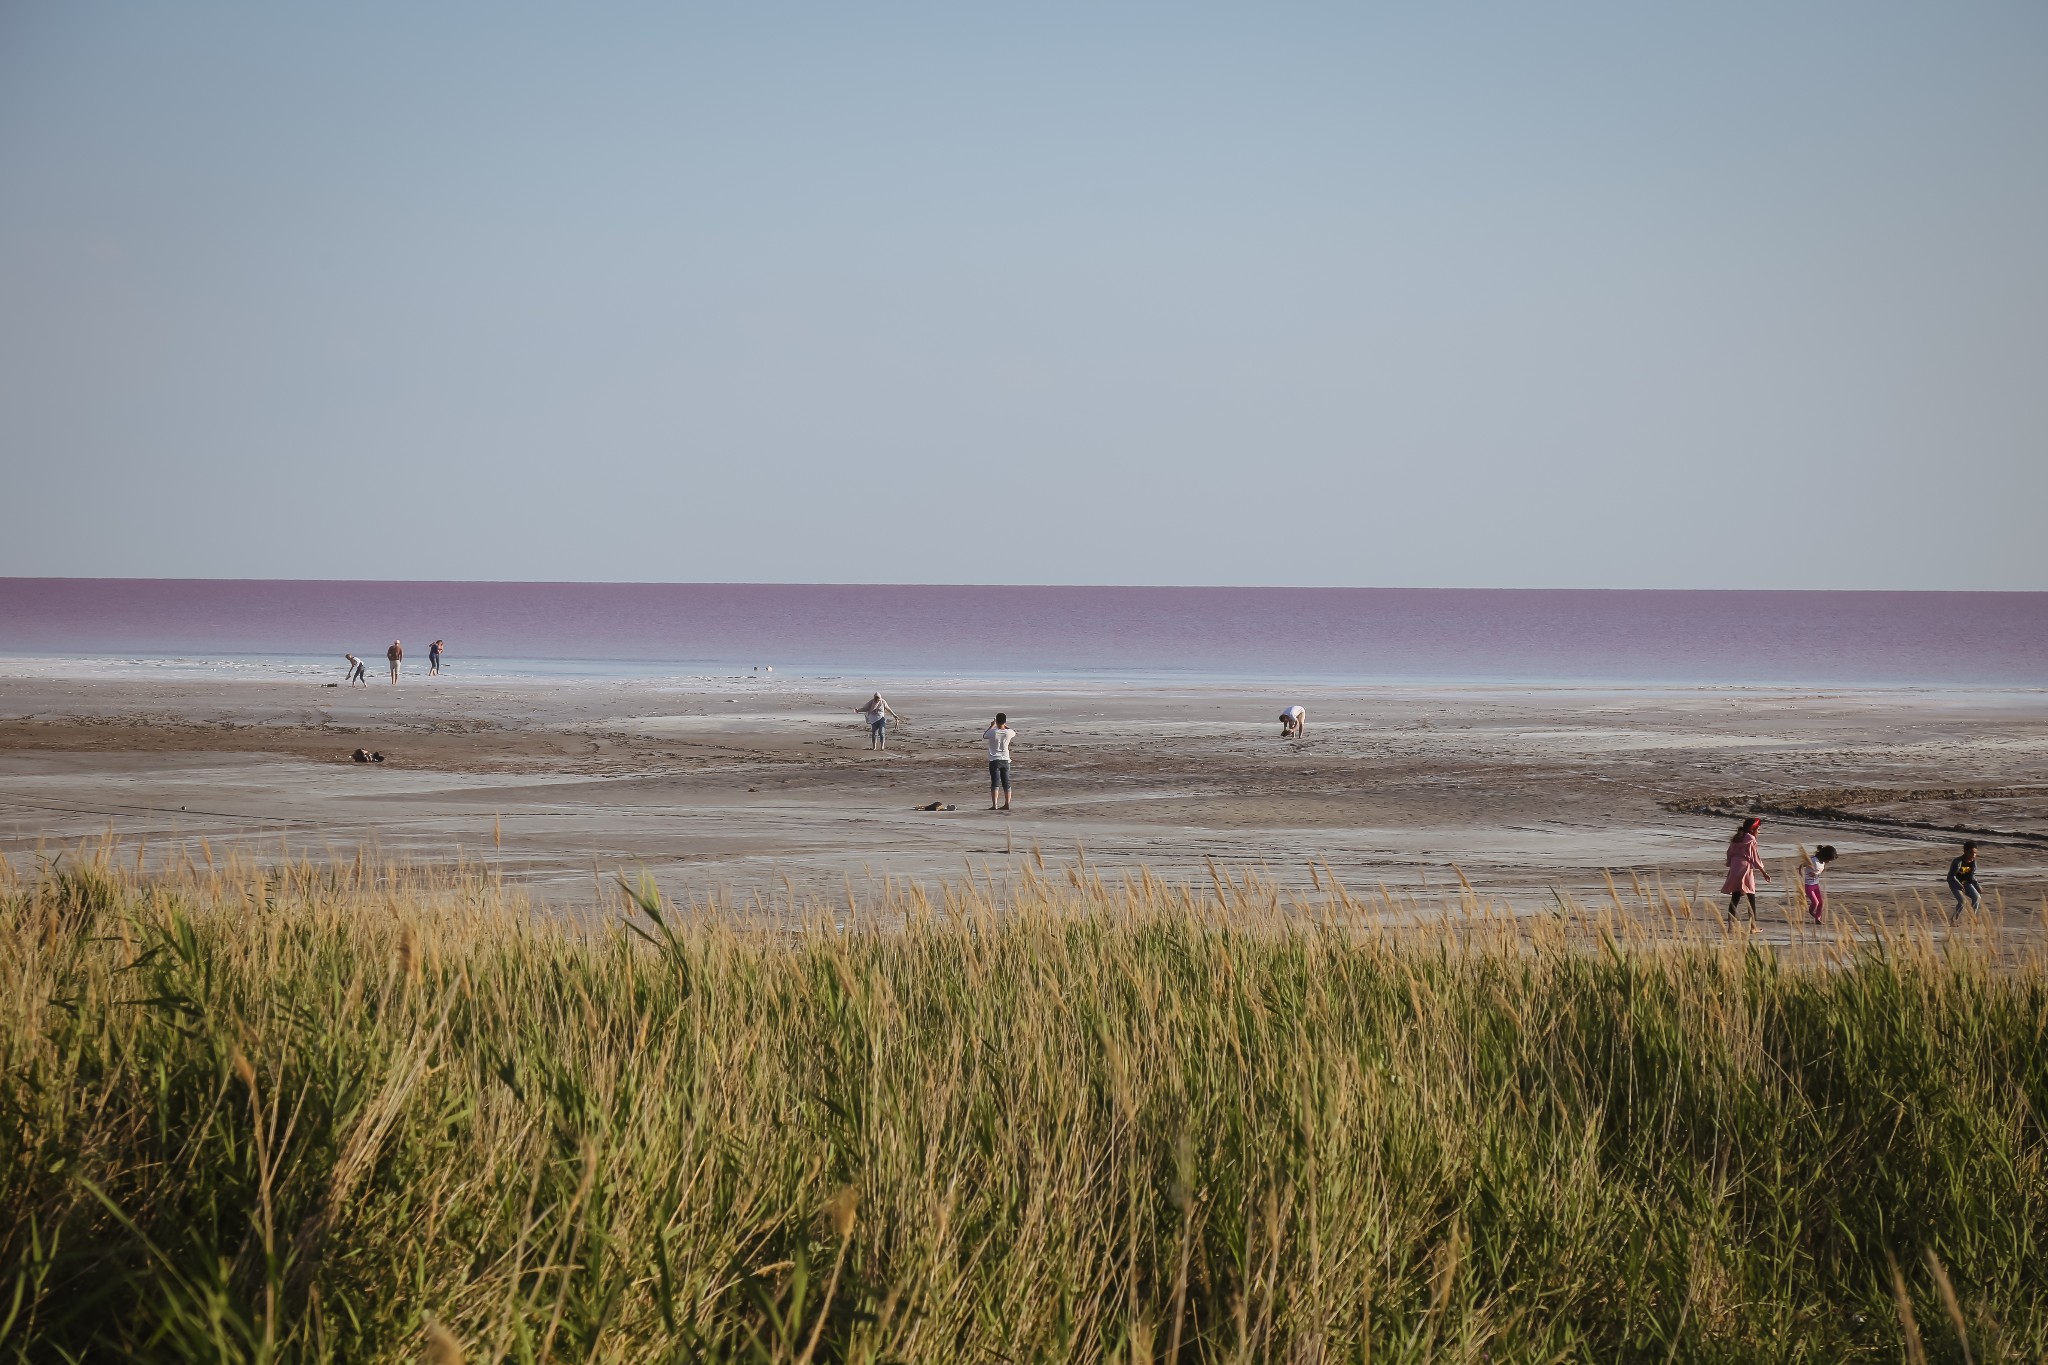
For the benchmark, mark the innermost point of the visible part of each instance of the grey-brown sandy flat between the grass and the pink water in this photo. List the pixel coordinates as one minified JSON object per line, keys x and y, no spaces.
{"x":744,"y":783}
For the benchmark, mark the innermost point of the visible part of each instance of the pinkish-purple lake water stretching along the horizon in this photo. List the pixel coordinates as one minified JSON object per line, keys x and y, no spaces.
{"x":1203,"y":633}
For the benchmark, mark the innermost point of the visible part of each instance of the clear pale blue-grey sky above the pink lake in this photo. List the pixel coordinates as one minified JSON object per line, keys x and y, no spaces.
{"x":1496,"y":296}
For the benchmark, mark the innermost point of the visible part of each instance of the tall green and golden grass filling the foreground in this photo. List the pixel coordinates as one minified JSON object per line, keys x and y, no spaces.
{"x":378,"y":1114}
